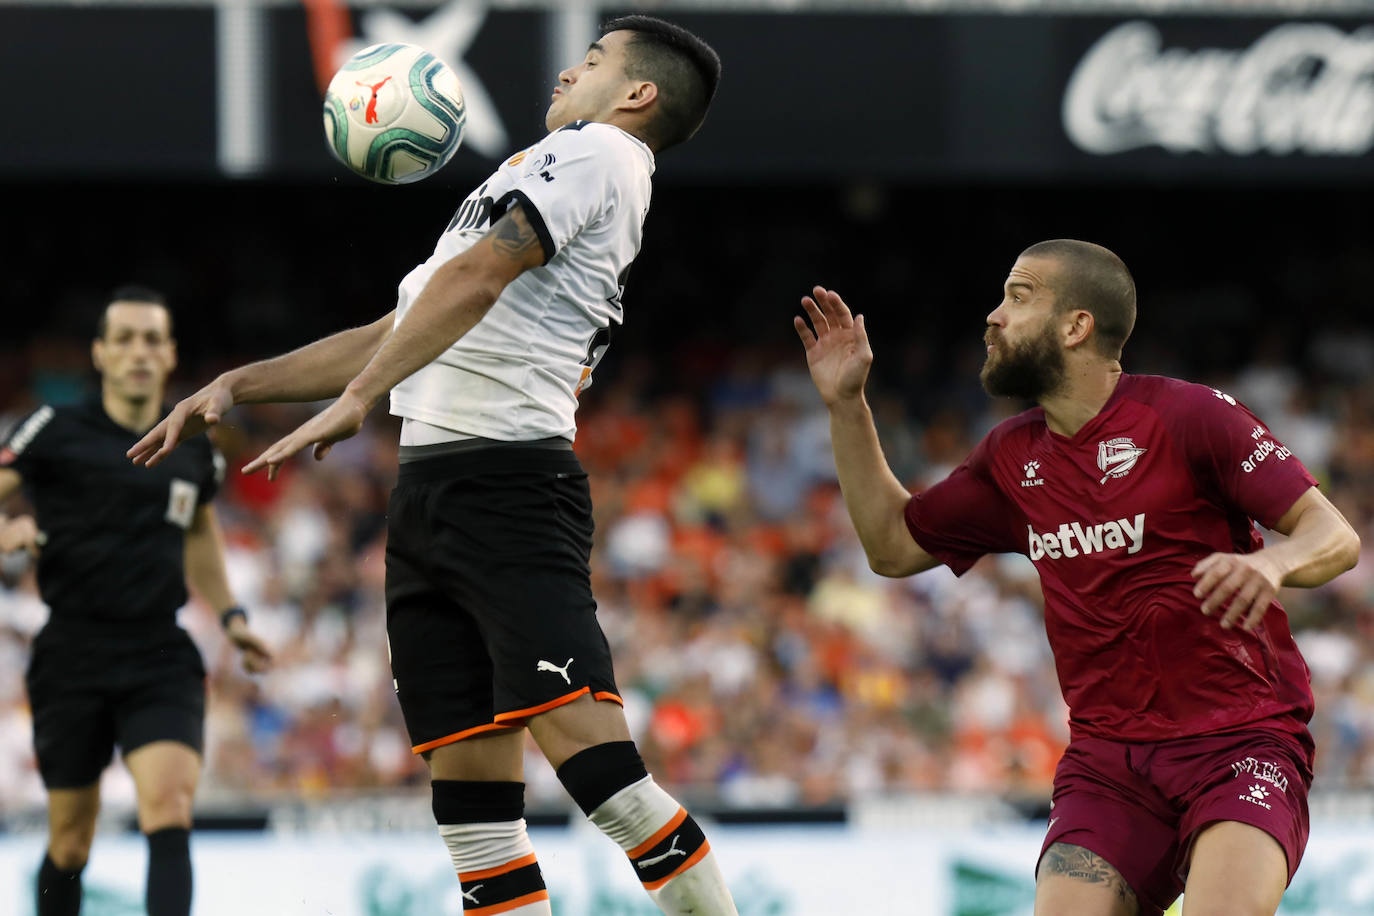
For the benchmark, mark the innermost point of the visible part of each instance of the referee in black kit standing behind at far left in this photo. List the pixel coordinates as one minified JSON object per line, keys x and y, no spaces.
{"x":117,"y":547}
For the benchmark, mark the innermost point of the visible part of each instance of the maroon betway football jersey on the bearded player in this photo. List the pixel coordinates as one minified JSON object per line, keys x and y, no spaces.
{"x":1115,"y":518}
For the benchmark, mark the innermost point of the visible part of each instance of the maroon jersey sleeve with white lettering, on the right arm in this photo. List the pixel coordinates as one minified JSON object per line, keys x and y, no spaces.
{"x":1236,"y":458}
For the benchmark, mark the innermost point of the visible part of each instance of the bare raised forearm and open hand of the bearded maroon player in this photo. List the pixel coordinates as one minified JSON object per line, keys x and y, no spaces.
{"x":839,"y":358}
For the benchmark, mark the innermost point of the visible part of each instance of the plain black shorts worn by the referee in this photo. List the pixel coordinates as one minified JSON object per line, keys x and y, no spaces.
{"x":98,"y":686}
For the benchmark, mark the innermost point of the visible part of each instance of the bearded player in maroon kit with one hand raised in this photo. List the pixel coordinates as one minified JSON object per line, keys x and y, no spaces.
{"x":1137,"y":499}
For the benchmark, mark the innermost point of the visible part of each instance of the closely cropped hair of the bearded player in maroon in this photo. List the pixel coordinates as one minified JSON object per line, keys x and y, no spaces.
{"x":1097,"y":281}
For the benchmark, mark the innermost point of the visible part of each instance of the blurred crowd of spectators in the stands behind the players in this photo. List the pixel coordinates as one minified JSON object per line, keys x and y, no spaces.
{"x":763,"y":665}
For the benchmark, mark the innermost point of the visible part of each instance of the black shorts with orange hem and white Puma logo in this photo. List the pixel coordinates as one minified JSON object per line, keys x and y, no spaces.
{"x":490,"y":608}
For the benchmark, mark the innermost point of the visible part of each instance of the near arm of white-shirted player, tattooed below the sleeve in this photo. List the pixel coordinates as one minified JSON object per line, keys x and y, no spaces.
{"x":453,"y":303}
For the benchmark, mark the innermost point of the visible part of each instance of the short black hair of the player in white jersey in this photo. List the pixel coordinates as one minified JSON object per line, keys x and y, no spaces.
{"x":685,"y":69}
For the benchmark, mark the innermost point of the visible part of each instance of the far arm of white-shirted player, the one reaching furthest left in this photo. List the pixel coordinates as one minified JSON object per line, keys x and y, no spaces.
{"x":311,"y":373}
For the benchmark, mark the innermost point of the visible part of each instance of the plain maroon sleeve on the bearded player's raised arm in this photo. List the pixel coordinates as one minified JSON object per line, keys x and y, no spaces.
{"x":965,"y":516}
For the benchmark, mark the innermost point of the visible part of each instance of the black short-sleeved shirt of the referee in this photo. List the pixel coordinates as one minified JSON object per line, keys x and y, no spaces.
{"x":116,"y":532}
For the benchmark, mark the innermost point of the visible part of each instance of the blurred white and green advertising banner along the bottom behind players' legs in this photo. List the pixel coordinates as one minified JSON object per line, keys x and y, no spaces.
{"x":814,"y":871}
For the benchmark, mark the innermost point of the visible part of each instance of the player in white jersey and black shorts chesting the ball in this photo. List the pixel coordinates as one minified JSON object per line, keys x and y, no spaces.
{"x":491,"y":619}
